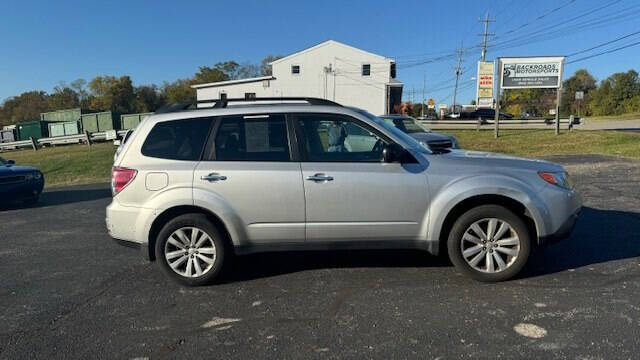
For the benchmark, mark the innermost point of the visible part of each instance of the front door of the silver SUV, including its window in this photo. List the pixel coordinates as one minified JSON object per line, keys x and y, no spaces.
{"x":350,"y":193}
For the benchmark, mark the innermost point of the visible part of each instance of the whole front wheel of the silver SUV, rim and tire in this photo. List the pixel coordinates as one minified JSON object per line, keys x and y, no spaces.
{"x":489,"y":243}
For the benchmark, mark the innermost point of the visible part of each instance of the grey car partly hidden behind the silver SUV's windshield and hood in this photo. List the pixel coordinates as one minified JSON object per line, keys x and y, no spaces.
{"x":433,"y":140}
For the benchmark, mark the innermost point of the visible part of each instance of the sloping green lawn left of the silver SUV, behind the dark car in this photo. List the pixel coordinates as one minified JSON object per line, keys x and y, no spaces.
{"x":69,"y":164}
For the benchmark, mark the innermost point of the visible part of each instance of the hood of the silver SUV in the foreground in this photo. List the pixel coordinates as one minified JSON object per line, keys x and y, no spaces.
{"x":500,"y":160}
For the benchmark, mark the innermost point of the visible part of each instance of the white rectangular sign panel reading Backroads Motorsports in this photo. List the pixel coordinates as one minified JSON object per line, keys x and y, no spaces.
{"x":533,"y":72}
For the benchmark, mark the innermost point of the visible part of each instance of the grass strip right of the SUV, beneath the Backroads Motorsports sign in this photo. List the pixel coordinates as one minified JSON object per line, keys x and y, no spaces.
{"x":536,"y":143}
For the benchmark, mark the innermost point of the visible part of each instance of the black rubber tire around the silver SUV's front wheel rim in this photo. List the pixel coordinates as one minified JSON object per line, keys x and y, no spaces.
{"x":467,"y":219}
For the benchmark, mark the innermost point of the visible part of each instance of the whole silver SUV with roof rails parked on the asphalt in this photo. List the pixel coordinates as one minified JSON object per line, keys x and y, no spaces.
{"x":193,"y":188}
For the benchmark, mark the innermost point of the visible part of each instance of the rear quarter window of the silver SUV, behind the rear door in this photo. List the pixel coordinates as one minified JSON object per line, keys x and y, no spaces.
{"x":177,"y":140}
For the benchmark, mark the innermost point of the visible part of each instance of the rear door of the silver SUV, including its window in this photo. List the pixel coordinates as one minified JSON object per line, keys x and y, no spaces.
{"x":249,"y":166}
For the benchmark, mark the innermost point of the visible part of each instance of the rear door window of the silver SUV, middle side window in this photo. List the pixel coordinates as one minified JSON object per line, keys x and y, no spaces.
{"x":252,"y":138}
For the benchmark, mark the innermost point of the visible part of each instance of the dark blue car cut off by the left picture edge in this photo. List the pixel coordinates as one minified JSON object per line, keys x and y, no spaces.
{"x":19,"y":183}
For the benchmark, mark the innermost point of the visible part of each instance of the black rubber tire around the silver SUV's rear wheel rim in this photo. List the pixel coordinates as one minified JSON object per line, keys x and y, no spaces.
{"x":222,"y":257}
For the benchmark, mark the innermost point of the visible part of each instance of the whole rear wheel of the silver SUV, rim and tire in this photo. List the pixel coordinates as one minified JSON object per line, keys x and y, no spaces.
{"x":191,"y":250}
